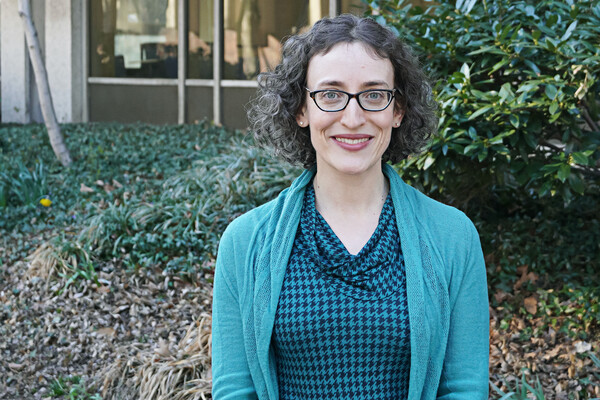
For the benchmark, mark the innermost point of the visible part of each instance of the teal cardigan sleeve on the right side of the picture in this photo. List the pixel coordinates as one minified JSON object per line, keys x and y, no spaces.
{"x":465,"y":372}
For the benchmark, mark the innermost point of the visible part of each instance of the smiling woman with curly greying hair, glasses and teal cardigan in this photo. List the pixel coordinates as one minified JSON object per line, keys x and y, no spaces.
{"x":350,"y":284}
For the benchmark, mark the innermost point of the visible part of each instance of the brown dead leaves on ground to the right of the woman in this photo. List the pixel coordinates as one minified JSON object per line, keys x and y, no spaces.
{"x":524,"y":344}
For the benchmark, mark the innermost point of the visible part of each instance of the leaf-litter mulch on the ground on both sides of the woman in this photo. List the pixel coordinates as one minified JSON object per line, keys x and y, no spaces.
{"x":146,"y":334}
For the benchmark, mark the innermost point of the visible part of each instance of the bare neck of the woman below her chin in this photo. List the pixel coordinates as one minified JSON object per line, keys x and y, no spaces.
{"x":356,"y":195}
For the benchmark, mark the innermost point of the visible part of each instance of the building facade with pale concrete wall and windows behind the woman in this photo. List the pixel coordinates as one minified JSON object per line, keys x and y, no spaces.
{"x":155,"y":61}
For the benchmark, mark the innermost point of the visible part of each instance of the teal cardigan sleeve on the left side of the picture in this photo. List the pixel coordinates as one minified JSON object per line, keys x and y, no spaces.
{"x":230,"y":370}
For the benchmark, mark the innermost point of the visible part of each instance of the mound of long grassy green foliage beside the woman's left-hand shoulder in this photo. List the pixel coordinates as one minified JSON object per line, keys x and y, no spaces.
{"x":181,"y":228}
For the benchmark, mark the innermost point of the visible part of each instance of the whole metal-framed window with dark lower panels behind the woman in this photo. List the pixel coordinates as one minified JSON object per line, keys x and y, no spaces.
{"x":133,"y":39}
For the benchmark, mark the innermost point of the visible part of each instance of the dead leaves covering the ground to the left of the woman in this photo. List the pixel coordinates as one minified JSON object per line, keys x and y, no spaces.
{"x":45,"y":335}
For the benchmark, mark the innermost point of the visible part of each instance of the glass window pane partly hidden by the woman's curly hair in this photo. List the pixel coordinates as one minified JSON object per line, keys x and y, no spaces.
{"x":254,"y":30}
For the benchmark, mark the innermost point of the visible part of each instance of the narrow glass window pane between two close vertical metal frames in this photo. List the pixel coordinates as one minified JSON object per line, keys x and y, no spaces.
{"x":200,"y":39}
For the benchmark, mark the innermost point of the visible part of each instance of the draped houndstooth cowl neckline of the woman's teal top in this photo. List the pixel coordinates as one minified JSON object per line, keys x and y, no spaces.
{"x":376,"y":272}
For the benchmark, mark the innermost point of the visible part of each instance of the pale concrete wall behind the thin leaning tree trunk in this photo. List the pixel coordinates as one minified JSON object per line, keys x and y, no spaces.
{"x":59,"y":24}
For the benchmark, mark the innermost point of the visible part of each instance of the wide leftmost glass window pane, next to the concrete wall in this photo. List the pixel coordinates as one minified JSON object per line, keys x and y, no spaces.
{"x":133,"y":38}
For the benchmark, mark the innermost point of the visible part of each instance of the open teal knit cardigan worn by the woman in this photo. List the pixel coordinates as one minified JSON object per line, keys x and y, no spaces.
{"x":446,"y":290}
